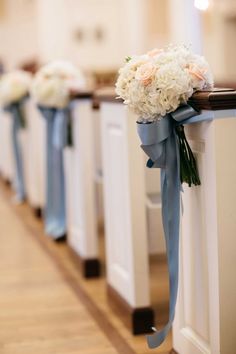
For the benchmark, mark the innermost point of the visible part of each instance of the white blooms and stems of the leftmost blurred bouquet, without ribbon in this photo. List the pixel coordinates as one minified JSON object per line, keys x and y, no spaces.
{"x":14,"y":88}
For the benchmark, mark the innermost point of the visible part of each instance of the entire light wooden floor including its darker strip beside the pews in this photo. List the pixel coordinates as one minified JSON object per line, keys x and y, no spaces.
{"x":45,"y":305}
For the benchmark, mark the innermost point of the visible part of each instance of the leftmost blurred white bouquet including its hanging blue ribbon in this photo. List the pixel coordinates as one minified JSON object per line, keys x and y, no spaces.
{"x":14,"y":88}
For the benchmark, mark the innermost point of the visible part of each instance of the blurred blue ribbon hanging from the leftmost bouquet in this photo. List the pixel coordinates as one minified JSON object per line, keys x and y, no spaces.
{"x":15,"y":109}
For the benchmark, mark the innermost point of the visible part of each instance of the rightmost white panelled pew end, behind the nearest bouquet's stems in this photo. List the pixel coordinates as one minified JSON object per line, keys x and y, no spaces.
{"x":205,"y":312}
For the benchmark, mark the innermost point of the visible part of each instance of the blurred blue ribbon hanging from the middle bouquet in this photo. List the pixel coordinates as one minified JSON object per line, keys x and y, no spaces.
{"x":55,"y":213}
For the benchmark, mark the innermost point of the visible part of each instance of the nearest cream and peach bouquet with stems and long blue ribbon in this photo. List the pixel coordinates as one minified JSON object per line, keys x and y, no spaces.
{"x":157,"y":86}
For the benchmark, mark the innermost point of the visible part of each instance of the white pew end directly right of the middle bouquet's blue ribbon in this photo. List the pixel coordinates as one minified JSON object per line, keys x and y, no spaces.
{"x":80,"y":188}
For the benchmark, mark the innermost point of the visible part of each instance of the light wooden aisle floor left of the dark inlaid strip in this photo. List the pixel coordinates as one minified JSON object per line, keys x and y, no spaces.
{"x":39,"y":312}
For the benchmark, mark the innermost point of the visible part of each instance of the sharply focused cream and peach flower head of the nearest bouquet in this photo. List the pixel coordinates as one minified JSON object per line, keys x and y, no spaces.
{"x":156,"y":83}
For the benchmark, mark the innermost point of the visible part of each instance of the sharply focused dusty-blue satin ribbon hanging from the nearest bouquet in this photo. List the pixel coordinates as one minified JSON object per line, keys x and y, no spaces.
{"x":160,"y":143}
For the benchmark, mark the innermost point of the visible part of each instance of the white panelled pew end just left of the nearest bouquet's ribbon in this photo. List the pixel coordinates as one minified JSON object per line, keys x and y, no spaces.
{"x":125,"y":199}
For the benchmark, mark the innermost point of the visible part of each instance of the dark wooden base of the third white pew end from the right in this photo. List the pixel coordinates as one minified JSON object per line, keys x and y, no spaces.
{"x":91,"y":268}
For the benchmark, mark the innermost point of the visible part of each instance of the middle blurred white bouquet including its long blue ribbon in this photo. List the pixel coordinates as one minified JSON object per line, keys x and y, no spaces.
{"x":52,"y":89}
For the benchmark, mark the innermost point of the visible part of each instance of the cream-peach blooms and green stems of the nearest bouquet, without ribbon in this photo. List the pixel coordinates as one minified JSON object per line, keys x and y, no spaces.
{"x":157,"y":85}
